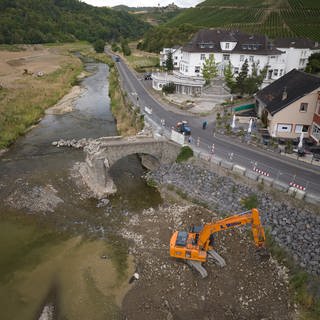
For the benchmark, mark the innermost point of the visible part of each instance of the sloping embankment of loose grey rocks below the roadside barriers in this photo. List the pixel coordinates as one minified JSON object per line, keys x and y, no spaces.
{"x":295,"y":229}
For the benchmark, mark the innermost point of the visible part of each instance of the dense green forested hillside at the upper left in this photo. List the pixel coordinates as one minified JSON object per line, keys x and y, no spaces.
{"x":41,"y":21}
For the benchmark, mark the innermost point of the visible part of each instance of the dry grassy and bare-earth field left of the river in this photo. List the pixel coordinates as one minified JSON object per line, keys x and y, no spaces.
{"x":25,"y":96}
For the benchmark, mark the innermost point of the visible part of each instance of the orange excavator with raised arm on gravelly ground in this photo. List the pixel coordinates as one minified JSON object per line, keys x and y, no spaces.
{"x":196,"y":245}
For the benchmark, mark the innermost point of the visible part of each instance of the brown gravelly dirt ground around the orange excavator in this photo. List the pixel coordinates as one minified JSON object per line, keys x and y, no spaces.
{"x":248,"y":287}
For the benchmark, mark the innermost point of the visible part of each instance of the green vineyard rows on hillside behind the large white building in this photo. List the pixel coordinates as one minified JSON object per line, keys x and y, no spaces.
{"x":275,"y":18}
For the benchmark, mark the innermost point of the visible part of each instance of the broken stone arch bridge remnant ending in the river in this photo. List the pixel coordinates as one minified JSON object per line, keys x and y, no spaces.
{"x":102,"y":153}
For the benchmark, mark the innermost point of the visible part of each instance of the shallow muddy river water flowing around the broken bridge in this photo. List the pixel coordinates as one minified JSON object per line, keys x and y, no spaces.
{"x":58,"y":246}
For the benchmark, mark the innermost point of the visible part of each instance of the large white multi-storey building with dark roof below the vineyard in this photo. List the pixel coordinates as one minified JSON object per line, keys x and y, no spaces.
{"x":236,"y":47}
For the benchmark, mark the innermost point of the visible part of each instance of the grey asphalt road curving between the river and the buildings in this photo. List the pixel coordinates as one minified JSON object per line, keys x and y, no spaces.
{"x":276,"y":166}
